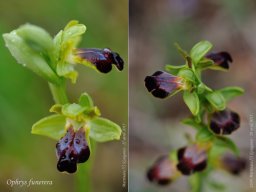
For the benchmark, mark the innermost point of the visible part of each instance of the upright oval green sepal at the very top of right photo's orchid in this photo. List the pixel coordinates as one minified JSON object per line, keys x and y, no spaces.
{"x":199,"y":51}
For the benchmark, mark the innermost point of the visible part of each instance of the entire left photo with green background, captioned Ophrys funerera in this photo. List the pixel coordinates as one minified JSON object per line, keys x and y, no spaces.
{"x":64,"y":96}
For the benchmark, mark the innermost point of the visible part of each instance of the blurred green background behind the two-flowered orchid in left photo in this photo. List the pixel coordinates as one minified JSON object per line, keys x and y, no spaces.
{"x":25,"y":98}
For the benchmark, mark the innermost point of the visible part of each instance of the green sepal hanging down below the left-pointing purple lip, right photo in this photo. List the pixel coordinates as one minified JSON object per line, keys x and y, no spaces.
{"x":192,"y":101}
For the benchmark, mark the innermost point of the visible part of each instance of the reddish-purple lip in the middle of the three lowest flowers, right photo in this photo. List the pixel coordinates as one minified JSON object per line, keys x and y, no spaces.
{"x":191,"y":159}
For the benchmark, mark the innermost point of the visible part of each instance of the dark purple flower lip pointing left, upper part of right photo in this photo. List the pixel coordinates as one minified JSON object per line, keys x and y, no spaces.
{"x":162,"y":84}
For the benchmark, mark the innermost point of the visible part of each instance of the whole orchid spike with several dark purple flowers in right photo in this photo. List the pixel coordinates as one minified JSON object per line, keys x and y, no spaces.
{"x":210,"y":117}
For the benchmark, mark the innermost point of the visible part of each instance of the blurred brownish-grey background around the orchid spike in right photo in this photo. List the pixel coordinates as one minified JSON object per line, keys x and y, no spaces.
{"x":154,"y":127}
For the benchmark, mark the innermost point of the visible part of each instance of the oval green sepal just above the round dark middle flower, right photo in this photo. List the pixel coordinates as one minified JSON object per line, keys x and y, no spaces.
{"x":216,"y":100}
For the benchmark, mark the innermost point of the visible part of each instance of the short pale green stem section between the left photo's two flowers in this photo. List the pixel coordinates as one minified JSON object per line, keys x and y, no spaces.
{"x":59,"y":92}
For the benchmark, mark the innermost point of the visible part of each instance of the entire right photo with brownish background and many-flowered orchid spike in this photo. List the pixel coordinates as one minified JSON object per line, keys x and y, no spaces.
{"x":192,"y":90}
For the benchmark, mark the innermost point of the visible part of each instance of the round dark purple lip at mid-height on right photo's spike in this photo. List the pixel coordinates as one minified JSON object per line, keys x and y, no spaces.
{"x":224,"y":122}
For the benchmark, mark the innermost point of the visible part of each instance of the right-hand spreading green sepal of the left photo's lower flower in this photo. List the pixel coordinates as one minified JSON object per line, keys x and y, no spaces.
{"x":102,"y":130}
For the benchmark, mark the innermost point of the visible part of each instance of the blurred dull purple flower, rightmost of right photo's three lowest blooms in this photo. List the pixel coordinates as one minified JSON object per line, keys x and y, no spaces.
{"x":233,"y":164}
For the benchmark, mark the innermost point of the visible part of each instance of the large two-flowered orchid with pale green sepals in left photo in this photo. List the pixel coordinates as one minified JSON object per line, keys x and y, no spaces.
{"x":54,"y":59}
